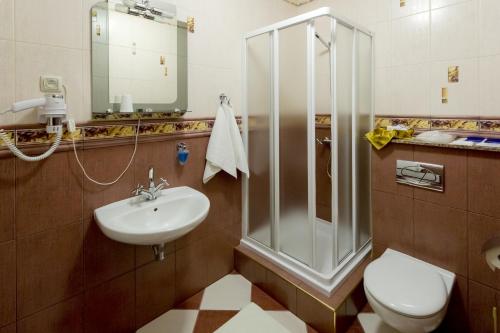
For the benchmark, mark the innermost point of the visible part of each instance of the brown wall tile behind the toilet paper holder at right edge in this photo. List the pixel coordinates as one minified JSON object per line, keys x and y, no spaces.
{"x":482,"y":229}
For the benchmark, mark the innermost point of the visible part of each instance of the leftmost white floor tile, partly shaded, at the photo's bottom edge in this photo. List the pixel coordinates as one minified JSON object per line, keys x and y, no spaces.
{"x":178,"y":321}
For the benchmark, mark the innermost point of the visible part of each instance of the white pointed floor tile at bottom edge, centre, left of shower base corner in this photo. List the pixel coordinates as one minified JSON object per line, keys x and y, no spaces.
{"x":252,"y":319}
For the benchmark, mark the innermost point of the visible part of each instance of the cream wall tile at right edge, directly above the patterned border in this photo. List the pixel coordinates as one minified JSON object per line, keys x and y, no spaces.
{"x":489,"y":99}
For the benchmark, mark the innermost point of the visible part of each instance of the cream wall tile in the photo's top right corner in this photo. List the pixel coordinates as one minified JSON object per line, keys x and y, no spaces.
{"x":489,"y":31}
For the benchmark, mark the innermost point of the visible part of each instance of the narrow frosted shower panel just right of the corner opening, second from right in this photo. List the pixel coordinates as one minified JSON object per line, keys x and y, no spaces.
{"x":344,"y":110}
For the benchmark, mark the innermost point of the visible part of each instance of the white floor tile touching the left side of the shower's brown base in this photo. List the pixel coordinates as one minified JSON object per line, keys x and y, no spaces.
{"x":232,"y":292}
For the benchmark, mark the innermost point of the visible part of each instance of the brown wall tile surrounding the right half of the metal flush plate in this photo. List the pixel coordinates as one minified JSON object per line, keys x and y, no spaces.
{"x":455,"y":176}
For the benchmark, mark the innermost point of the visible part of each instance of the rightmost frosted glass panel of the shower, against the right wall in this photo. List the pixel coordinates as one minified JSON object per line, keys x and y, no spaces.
{"x":364,"y":121}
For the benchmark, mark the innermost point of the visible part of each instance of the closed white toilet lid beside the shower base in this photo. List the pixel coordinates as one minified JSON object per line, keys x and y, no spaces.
{"x":405,"y":286}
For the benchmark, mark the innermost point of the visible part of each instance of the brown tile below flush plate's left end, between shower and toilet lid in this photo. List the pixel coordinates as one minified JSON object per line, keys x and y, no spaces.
{"x":393,"y":221}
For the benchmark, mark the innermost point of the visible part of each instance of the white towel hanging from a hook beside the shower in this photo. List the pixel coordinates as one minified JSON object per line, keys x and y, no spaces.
{"x":225,"y":148}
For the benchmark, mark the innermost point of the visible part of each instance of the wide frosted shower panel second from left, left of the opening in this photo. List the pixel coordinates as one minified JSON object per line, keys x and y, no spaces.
{"x":294,"y":229}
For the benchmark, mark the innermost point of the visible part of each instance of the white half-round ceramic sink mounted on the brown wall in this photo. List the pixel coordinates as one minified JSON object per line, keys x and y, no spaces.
{"x":173,"y":214}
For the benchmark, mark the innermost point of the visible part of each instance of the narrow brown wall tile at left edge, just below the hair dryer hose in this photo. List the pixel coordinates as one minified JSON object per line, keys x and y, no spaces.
{"x":7,"y":198}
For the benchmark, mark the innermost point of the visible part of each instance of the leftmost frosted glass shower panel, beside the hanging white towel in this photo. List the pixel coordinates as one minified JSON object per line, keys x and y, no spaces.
{"x":259,"y":112}
